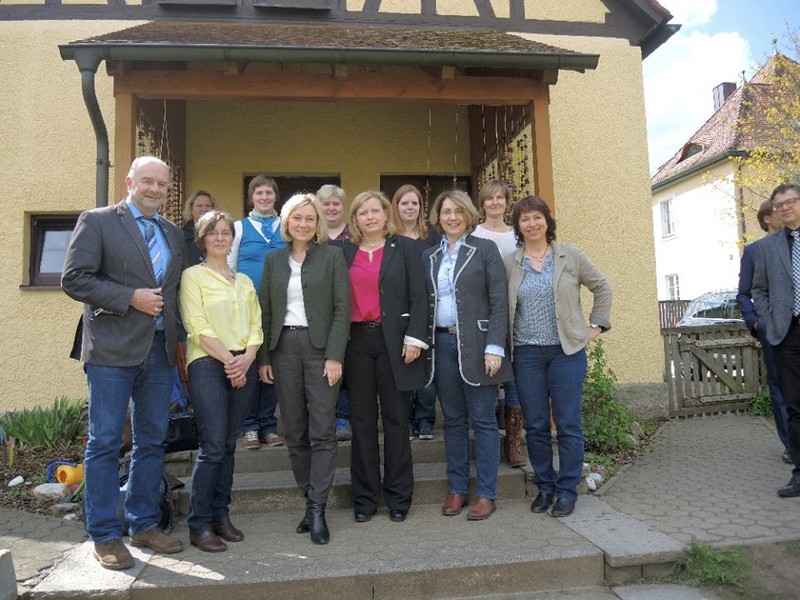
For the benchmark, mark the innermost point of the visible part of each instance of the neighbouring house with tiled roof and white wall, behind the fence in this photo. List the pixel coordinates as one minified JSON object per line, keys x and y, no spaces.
{"x":701,"y":215}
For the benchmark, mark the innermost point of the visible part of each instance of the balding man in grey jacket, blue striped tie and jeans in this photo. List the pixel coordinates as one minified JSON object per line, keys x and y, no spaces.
{"x":124,"y":264}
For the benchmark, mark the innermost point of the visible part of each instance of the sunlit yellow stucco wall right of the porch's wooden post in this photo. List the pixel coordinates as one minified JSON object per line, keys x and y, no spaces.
{"x":602,"y":190}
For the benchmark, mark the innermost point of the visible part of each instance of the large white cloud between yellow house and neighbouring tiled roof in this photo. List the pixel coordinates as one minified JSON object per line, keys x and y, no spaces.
{"x":679,"y":79}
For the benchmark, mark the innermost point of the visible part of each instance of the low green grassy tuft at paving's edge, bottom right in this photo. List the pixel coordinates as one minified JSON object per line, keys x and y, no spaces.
{"x":702,"y":564}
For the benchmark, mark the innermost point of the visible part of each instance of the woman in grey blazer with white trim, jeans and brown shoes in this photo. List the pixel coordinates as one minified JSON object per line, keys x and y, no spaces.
{"x":467,"y":289}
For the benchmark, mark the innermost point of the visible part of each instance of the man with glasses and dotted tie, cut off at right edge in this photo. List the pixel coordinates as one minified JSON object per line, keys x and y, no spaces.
{"x":776,"y":297}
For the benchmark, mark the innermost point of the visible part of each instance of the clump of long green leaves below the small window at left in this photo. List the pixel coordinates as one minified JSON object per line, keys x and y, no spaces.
{"x":63,"y":423}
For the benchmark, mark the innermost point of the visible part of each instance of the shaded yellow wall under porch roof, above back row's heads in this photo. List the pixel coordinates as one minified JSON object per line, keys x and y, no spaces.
{"x":357,"y":141}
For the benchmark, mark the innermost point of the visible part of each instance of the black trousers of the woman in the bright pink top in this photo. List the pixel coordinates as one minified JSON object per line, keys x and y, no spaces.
{"x":370,"y":382}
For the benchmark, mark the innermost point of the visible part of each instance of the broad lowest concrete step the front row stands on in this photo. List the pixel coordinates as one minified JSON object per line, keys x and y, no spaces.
{"x":426,"y":558}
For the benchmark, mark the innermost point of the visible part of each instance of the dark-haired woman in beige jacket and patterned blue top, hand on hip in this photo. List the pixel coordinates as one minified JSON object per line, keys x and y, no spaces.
{"x":549,"y":336}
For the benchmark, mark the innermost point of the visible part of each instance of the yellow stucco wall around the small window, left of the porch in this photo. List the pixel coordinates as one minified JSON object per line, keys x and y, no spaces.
{"x":48,"y":167}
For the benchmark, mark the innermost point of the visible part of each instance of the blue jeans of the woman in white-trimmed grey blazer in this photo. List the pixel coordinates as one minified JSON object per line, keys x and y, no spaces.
{"x":462,"y":403}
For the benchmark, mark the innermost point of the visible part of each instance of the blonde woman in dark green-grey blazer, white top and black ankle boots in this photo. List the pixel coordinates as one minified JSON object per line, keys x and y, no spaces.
{"x":305,"y":307}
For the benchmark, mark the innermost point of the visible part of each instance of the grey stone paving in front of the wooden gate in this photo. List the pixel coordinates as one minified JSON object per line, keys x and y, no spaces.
{"x":711,"y":479}
